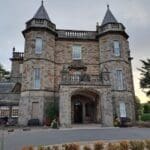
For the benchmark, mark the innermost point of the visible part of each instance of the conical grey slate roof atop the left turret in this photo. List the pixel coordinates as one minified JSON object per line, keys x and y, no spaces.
{"x":41,"y":13}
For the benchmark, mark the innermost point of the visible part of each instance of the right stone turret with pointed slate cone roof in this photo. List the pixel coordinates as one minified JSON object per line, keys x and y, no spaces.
{"x":114,"y":57}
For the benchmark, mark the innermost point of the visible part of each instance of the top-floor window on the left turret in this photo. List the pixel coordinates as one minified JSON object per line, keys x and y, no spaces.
{"x":38,"y":45}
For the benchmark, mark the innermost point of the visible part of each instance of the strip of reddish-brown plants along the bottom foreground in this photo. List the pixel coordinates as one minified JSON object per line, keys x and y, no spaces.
{"x":98,"y":145}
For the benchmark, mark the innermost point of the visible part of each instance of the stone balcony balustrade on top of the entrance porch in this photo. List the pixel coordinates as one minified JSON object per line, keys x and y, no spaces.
{"x":85,"y":79}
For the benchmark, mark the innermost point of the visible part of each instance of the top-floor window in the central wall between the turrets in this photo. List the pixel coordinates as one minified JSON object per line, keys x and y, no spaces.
{"x":76,"y":52}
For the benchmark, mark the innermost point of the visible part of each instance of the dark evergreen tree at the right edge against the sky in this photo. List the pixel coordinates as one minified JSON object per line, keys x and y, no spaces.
{"x":145,"y":79}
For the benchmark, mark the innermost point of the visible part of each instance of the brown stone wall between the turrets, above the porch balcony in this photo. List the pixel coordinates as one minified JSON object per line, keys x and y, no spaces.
{"x":63,"y":56}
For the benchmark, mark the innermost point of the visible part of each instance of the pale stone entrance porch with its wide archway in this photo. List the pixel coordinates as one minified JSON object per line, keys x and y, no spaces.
{"x":100,"y":98}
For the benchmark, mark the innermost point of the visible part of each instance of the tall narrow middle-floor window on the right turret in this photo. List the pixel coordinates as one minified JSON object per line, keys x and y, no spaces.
{"x":119,"y":80}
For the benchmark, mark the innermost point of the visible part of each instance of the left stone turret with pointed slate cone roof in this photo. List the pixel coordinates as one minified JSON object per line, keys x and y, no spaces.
{"x":38,"y":67}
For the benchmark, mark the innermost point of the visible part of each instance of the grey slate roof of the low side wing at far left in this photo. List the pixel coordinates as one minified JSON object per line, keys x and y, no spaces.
{"x":6,"y":87}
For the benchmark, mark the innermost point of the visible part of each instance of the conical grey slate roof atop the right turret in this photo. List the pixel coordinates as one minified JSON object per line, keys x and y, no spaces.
{"x":109,"y":17}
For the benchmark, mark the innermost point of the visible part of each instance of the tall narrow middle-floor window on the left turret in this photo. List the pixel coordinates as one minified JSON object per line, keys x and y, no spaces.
{"x":37,"y":78}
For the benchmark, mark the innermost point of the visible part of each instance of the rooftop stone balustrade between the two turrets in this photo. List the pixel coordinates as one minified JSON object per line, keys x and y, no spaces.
{"x":76,"y":34}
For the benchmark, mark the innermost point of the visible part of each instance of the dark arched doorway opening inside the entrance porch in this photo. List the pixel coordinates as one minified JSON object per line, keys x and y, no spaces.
{"x":85,"y":107}
